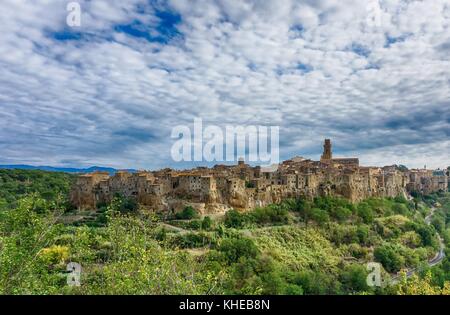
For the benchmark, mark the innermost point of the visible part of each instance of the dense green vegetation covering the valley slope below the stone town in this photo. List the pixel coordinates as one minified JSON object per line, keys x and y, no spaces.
{"x":318,"y":246}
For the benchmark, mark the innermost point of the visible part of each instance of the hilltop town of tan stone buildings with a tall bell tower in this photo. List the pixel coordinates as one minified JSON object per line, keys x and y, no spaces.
{"x":243,"y":187}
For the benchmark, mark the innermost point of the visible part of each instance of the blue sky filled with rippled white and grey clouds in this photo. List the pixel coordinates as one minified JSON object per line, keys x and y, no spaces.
{"x":109,"y":92}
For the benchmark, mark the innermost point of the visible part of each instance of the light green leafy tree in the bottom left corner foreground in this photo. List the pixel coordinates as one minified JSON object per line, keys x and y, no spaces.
{"x":25,"y":237}
